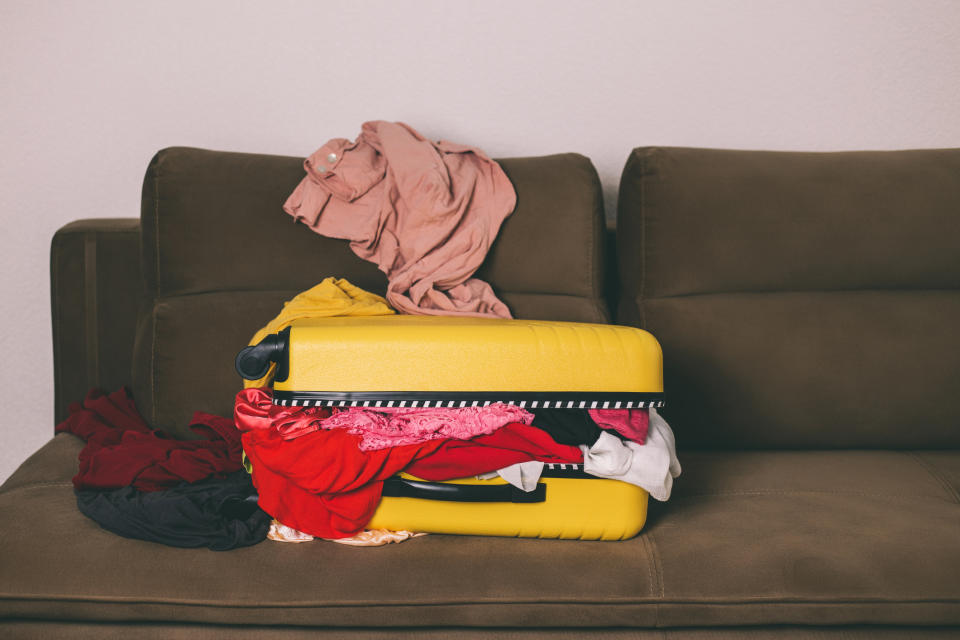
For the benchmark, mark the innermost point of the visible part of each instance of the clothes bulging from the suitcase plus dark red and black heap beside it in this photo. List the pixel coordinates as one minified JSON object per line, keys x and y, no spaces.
{"x":319,"y":472}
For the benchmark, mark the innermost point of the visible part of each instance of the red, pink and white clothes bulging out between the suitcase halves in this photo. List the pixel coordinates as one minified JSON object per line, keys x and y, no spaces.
{"x":320,"y":471}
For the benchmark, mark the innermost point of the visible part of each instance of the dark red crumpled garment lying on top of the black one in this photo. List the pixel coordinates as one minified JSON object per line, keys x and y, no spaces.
{"x":123,"y":451}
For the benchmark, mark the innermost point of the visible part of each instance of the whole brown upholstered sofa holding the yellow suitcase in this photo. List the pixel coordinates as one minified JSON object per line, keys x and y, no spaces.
{"x":807,"y":304}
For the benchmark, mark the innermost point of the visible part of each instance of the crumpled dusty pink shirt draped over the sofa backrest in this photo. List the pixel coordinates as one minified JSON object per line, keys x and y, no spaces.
{"x":426,"y":213}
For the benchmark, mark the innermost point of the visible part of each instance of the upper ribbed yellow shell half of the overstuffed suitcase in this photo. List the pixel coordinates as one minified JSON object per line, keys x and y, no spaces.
{"x":442,"y":353}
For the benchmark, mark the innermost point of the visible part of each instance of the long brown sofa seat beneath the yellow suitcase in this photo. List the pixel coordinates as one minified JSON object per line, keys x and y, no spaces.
{"x":750,"y":538}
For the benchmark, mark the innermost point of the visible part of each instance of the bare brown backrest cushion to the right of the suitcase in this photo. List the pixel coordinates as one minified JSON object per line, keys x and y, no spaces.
{"x":801,"y":299}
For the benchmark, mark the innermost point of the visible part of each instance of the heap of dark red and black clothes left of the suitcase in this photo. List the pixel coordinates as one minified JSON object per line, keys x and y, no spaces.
{"x":140,"y":483}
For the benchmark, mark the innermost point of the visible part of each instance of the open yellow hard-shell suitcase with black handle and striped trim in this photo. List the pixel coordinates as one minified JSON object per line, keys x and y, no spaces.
{"x":442,"y":361}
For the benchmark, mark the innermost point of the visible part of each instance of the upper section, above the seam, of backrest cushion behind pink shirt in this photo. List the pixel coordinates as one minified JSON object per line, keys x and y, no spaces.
{"x":213,"y":221}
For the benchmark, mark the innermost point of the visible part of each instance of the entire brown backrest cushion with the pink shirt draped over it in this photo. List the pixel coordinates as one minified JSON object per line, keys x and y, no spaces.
{"x":220,"y":257}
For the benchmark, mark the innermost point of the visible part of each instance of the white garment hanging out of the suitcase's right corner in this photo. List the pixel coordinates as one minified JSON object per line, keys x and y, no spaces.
{"x":652,"y":465}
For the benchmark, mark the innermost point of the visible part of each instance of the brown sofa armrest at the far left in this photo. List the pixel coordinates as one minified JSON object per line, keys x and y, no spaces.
{"x":95,"y":289}
